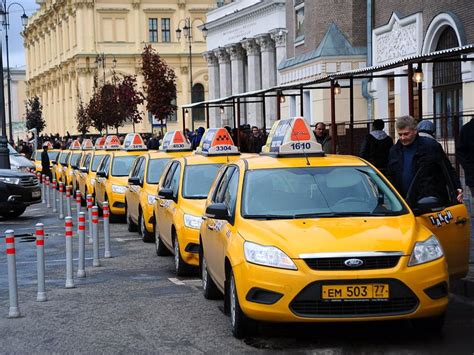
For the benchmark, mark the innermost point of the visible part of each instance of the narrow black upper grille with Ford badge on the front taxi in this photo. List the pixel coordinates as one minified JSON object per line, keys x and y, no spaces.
{"x":370,"y":263}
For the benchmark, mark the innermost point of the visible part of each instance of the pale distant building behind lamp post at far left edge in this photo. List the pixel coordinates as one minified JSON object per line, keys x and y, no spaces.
{"x":18,"y":101}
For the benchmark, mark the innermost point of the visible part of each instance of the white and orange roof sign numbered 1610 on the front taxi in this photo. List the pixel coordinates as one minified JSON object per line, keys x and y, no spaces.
{"x":292,"y":137}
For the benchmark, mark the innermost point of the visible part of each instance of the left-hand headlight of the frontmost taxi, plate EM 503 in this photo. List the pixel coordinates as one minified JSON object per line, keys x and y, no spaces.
{"x":267,"y":256}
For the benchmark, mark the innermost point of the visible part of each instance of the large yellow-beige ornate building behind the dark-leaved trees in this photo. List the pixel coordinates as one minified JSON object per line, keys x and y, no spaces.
{"x":65,"y":38}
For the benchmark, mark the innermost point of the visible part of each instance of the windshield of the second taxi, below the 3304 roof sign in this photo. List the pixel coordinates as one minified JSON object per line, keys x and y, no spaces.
{"x":198,"y":180}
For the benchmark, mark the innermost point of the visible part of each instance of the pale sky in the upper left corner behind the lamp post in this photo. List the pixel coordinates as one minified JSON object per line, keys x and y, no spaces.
{"x":15,"y":41}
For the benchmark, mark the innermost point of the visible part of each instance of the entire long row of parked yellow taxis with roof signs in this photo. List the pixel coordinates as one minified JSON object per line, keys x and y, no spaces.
{"x":290,"y":235}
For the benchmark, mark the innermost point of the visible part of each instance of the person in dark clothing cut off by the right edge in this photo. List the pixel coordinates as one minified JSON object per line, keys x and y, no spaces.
{"x":465,"y":153}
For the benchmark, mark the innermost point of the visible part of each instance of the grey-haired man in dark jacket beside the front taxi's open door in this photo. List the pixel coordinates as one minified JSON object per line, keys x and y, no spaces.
{"x":421,"y":159}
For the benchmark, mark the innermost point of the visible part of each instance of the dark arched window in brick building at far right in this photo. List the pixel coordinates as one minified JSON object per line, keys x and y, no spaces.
{"x":447,"y":86}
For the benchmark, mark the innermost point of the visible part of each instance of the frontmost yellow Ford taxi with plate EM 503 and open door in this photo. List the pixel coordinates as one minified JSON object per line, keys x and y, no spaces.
{"x":297,"y":236}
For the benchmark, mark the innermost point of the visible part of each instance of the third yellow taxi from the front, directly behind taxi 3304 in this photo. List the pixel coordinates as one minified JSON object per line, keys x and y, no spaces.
{"x":143,"y":183}
